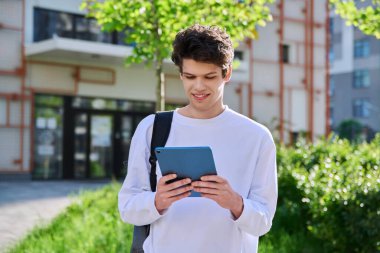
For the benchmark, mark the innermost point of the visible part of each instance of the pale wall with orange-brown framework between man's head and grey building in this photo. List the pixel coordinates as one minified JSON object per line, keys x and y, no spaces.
{"x":288,"y":71}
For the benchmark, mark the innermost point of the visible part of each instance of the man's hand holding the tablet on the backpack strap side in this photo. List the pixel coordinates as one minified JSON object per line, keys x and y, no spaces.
{"x":167,"y":194}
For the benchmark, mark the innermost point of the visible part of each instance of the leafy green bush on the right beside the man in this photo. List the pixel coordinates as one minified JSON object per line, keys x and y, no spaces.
{"x":330,"y":190}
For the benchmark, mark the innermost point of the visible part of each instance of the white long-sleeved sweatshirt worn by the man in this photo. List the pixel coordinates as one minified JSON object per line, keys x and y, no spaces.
{"x":244,"y":154}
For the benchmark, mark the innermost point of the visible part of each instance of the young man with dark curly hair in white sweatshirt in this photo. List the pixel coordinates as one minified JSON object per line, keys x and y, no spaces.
{"x":237,"y":206}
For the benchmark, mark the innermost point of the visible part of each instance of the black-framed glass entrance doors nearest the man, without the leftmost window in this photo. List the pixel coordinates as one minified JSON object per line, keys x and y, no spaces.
{"x":101,"y":144}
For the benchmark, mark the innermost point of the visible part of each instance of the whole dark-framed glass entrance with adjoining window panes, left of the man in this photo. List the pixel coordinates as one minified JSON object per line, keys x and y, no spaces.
{"x":89,"y":138}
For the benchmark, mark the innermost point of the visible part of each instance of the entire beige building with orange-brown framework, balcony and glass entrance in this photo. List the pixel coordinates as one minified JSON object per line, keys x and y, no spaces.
{"x":69,"y":107}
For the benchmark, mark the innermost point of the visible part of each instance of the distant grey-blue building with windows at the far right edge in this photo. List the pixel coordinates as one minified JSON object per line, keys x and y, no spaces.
{"x":355,"y":76}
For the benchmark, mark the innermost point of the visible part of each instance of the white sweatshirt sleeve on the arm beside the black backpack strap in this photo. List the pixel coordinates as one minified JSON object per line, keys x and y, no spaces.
{"x":136,"y":200}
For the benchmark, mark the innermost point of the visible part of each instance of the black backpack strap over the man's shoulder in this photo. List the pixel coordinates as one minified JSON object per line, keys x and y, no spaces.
{"x":161,"y":129}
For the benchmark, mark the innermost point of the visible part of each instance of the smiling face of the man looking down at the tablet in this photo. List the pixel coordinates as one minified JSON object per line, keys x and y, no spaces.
{"x":204,"y":86}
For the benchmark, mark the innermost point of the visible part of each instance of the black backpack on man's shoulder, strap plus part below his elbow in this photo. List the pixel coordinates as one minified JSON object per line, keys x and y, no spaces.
{"x":161,"y":129}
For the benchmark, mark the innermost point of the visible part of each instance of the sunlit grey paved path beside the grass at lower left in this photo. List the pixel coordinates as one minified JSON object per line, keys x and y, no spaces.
{"x":25,"y":204}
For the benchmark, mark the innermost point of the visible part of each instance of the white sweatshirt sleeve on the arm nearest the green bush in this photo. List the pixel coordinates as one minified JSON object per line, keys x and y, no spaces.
{"x":260,"y":205}
